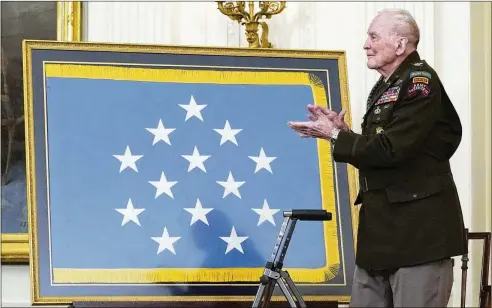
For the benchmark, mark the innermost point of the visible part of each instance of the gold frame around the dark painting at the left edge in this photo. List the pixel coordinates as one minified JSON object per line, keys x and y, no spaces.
{"x":15,"y":246}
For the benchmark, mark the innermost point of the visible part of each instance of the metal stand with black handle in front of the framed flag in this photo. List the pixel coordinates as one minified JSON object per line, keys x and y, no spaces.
{"x":273,"y":273}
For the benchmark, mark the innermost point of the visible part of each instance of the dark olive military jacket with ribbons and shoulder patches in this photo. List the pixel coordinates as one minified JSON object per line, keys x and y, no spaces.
{"x":410,"y":212}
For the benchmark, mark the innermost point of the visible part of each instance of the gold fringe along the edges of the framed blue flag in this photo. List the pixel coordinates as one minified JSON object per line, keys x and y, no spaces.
{"x":162,"y":275}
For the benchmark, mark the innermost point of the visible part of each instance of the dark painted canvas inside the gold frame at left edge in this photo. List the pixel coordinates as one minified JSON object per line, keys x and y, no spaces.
{"x":19,"y":20}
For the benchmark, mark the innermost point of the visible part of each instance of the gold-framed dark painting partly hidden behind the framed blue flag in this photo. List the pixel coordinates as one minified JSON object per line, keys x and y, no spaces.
{"x":45,"y":20}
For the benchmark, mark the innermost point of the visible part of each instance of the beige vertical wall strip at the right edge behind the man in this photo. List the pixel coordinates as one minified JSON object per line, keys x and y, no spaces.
{"x":481,"y":101}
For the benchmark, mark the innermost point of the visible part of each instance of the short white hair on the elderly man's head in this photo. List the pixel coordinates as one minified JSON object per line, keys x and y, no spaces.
{"x":403,"y":24}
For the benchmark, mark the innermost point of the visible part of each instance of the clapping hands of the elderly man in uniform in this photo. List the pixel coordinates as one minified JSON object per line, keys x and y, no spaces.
{"x":322,"y":127}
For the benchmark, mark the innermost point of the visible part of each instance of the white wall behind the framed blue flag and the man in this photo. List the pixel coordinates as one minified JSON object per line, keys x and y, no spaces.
{"x":310,"y":25}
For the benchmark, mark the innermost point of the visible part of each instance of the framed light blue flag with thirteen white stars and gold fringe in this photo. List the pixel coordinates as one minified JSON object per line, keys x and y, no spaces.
{"x":162,"y":172}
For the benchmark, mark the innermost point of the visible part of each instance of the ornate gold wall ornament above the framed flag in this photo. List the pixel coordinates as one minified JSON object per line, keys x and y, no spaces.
{"x":251,"y":20}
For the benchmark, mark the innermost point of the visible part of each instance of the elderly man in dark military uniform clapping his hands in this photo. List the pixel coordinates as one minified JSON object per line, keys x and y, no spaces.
{"x":410,"y":222}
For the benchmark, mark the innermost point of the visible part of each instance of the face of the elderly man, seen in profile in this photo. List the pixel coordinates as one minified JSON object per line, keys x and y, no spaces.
{"x":380,"y":46}
